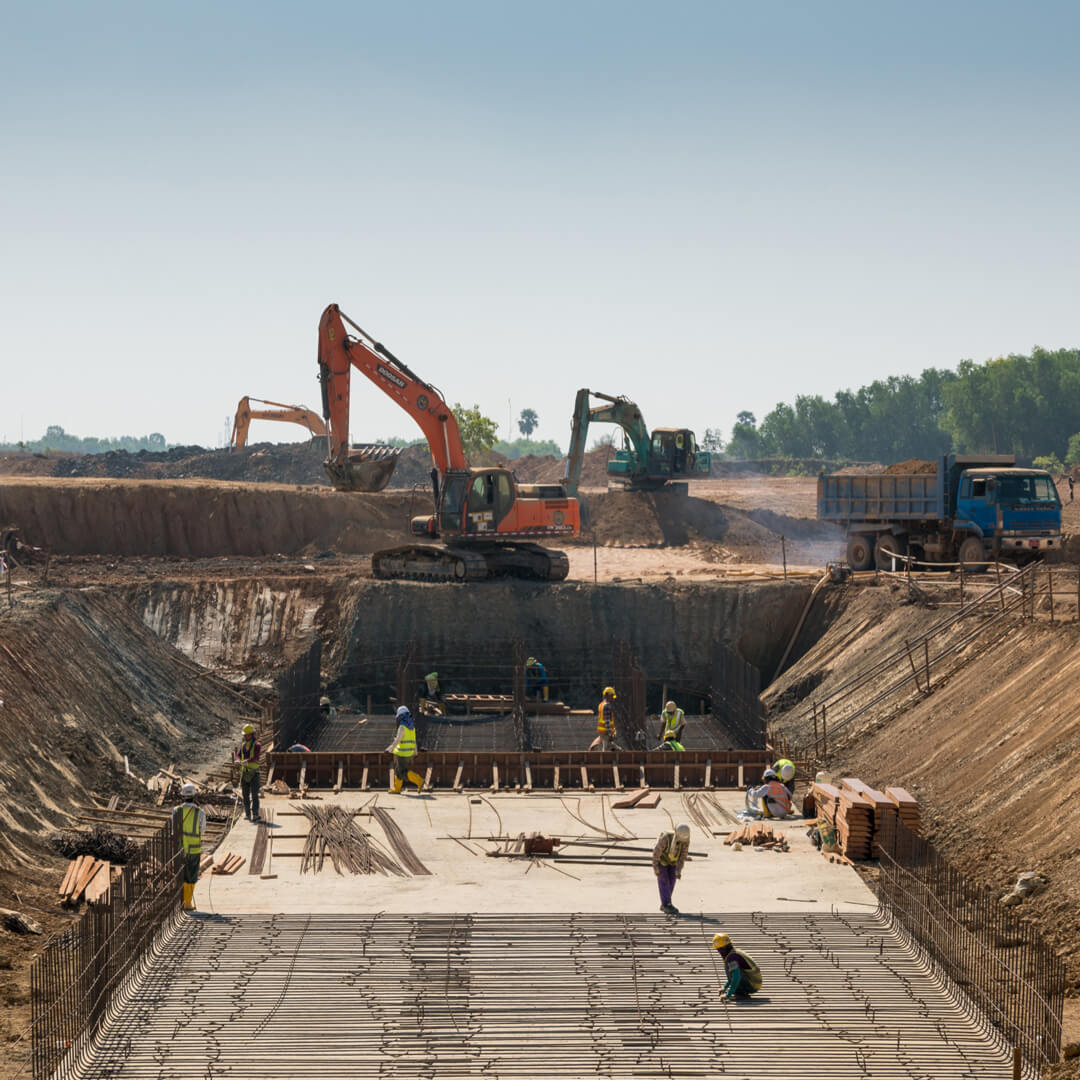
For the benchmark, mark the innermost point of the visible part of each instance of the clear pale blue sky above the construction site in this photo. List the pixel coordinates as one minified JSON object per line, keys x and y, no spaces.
{"x":708,"y":208}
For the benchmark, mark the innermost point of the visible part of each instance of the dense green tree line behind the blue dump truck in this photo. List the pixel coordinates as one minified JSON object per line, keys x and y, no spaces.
{"x":1028,"y":406}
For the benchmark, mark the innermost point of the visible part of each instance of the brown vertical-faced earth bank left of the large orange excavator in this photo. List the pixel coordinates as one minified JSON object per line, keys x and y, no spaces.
{"x":200,"y":519}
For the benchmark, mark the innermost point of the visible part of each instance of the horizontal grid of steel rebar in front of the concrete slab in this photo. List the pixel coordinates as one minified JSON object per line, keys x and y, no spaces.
{"x":528,"y":996}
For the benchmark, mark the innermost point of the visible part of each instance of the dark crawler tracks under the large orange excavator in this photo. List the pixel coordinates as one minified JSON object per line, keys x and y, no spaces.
{"x":462,"y":564}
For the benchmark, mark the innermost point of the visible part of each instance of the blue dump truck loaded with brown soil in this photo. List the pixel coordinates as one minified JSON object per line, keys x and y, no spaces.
{"x":970,"y":510}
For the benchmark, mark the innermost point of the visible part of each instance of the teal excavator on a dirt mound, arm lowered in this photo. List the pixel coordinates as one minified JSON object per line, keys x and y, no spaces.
{"x":665,"y":460}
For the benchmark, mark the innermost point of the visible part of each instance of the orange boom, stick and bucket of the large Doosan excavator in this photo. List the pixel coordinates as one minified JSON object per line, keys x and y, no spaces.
{"x":366,"y":469}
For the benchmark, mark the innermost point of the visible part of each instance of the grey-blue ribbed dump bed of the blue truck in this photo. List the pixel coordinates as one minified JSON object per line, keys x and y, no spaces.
{"x":882,"y":497}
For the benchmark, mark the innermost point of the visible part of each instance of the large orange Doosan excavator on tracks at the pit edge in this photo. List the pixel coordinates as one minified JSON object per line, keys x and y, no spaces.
{"x":489,"y":522}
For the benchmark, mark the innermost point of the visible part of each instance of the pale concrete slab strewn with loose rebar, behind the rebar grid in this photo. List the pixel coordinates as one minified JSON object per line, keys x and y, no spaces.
{"x":465,"y":880}
